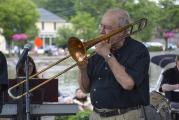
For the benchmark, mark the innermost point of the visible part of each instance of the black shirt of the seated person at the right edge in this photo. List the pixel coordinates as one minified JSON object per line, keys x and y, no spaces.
{"x":171,"y":76}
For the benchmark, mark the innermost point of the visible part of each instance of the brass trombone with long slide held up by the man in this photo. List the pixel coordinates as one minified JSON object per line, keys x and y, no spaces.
{"x":78,"y":51}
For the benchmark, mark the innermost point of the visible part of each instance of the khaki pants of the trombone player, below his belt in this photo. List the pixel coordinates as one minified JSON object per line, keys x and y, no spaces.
{"x":131,"y":115}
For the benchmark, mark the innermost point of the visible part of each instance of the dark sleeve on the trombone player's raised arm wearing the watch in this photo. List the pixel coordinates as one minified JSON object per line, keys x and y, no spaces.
{"x":137,"y":67}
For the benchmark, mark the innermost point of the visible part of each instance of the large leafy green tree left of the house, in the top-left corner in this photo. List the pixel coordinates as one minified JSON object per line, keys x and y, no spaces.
{"x":17,"y":16}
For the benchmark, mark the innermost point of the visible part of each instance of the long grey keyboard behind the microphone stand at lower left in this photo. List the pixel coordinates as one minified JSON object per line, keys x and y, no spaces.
{"x":50,"y":109}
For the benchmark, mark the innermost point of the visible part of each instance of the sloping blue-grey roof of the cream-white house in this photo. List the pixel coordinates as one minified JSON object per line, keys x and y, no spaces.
{"x":47,"y":16}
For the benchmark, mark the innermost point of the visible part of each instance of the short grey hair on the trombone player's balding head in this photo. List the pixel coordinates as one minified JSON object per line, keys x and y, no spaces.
{"x":122,"y":15}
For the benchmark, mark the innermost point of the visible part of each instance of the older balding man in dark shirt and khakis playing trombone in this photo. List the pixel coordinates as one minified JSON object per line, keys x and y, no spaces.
{"x":117,"y":75}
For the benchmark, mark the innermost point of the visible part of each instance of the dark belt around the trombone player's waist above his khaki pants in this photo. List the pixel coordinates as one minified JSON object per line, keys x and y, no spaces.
{"x":113,"y":112}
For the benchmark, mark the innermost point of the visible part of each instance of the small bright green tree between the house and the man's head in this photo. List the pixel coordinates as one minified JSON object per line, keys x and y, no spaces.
{"x":84,"y":25}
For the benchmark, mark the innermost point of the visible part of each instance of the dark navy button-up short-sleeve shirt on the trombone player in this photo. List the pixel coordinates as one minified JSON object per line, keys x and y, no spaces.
{"x":106,"y":92}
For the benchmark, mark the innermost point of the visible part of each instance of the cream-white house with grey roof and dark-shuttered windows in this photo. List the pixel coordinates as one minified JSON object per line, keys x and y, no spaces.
{"x":48,"y":25}
